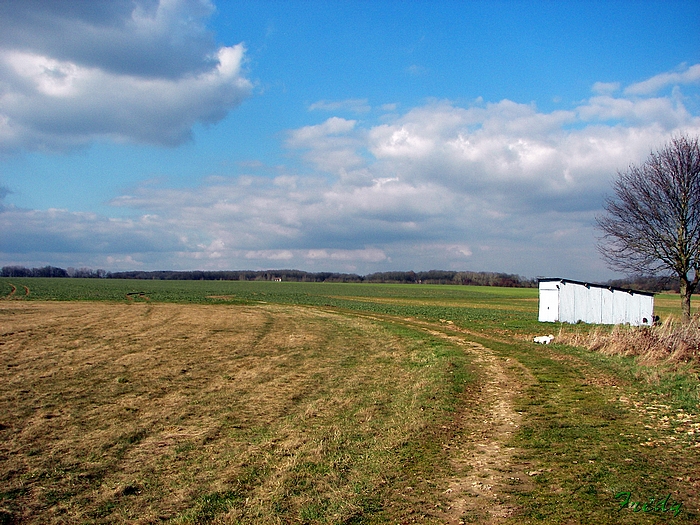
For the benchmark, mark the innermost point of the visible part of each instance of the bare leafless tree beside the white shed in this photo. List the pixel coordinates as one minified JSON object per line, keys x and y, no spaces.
{"x":652,"y":225}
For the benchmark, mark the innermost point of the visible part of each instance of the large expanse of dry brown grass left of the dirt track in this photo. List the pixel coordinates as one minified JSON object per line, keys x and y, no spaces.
{"x":151,"y":413}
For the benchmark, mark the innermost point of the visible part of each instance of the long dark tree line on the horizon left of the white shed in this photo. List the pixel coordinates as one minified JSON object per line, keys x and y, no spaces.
{"x":398,"y":277}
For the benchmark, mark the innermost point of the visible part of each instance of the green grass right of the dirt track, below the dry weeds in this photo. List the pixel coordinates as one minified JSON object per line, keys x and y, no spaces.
{"x":591,"y":441}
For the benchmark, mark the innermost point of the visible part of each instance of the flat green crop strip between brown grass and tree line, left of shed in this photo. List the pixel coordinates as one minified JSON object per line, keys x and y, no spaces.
{"x":513,"y":308}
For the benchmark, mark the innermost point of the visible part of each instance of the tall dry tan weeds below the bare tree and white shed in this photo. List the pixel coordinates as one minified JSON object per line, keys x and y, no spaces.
{"x":671,"y":342}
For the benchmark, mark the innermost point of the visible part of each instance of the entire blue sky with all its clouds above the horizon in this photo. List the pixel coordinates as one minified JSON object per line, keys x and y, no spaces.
{"x":331,"y":136}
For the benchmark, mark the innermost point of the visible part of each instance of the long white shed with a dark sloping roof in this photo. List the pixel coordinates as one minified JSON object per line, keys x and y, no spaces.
{"x":569,"y":301}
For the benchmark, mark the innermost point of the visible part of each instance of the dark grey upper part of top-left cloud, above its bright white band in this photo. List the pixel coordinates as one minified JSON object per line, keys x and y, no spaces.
{"x":142,"y":38}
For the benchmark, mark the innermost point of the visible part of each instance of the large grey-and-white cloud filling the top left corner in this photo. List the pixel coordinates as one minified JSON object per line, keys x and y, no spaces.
{"x":129,"y":71}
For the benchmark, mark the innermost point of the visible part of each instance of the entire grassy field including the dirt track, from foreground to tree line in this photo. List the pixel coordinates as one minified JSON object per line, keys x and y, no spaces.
{"x":260,"y":402}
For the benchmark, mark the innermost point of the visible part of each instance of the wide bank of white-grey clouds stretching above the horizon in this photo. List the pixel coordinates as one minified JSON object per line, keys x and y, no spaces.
{"x":499,"y":186}
